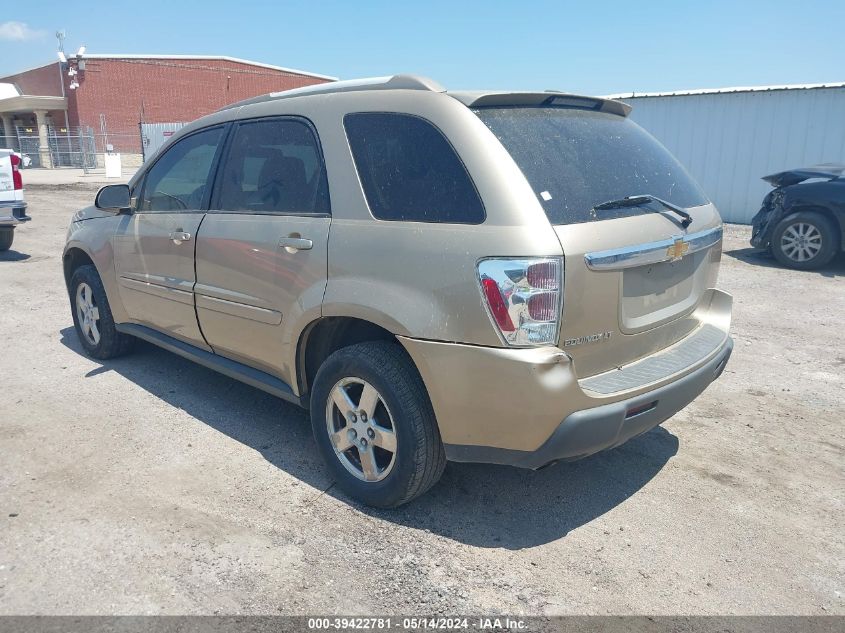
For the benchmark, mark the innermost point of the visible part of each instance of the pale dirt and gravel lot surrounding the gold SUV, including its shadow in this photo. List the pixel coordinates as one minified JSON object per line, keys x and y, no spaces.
{"x":151,"y":485}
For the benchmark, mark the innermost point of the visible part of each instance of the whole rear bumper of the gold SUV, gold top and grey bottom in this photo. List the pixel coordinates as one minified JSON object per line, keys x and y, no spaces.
{"x":528,"y":407}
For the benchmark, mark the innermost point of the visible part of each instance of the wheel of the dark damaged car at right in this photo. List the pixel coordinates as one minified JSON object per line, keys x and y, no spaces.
{"x":805,"y":241}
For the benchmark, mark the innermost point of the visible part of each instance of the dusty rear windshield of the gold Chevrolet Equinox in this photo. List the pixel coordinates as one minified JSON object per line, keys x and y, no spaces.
{"x":575,"y":159}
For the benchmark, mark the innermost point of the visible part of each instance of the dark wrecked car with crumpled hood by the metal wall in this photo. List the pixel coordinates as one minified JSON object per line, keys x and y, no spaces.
{"x":802,"y":220}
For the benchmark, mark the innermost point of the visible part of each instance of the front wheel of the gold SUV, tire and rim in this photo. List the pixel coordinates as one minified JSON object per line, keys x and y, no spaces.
{"x":88,"y":297}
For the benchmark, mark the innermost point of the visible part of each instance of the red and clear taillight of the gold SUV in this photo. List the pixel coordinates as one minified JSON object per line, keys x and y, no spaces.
{"x":523,"y":298}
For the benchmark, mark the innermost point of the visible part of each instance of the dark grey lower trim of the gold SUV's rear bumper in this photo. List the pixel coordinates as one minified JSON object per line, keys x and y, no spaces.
{"x":593,"y":430}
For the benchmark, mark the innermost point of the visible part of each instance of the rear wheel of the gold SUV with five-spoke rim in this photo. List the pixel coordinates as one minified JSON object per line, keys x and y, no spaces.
{"x":401,"y":405}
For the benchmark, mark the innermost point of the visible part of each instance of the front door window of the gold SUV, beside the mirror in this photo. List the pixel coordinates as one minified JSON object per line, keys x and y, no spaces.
{"x":178,"y":180}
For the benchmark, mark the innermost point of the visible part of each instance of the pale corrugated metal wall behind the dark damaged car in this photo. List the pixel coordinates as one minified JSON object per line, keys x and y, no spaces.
{"x":728,"y":141}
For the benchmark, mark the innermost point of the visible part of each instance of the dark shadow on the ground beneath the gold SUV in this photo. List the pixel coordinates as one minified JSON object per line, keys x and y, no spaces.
{"x":477,"y":504}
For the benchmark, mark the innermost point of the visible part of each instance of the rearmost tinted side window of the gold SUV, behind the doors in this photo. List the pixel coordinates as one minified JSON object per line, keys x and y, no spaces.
{"x":409,"y":171}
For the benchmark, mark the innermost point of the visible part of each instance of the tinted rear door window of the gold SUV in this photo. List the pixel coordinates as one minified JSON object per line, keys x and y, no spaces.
{"x":274,"y":166}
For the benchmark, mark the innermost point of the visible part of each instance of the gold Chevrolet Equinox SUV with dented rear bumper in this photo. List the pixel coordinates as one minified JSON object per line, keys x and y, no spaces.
{"x":516,"y":278}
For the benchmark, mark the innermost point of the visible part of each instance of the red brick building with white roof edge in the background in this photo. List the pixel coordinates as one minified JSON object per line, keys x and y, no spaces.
{"x":107,"y":96}
